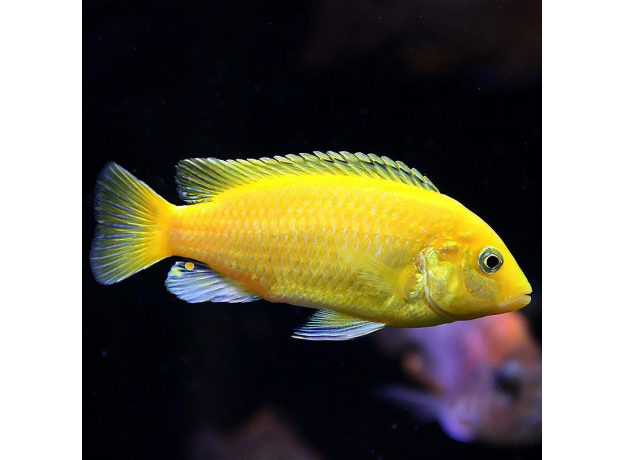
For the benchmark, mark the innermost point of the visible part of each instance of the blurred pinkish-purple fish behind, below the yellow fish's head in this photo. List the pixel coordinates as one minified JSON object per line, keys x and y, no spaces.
{"x":481,"y":380}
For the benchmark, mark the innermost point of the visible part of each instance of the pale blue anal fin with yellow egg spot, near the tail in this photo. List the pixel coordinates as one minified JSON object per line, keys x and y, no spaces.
{"x":195,"y":283}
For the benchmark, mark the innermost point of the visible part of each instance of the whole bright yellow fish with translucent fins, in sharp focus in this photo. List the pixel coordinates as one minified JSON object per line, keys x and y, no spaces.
{"x":365,"y":240}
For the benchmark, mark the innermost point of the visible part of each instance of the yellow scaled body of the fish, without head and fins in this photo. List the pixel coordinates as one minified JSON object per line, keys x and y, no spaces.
{"x":286,"y":239}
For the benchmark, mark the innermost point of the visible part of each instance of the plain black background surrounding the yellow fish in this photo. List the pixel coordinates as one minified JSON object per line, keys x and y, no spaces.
{"x":452,"y":88}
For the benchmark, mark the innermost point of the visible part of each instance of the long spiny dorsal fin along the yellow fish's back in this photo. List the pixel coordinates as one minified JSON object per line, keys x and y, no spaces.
{"x":200,"y":179}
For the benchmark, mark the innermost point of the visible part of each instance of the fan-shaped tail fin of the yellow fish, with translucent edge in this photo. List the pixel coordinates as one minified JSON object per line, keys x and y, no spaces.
{"x":132,"y":221}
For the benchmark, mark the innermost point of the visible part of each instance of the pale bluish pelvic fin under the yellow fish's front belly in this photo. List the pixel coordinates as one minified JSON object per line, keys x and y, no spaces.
{"x":329,"y":325}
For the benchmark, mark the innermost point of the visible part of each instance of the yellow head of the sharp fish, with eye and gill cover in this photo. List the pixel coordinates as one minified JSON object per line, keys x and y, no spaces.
{"x":473,"y":275}
